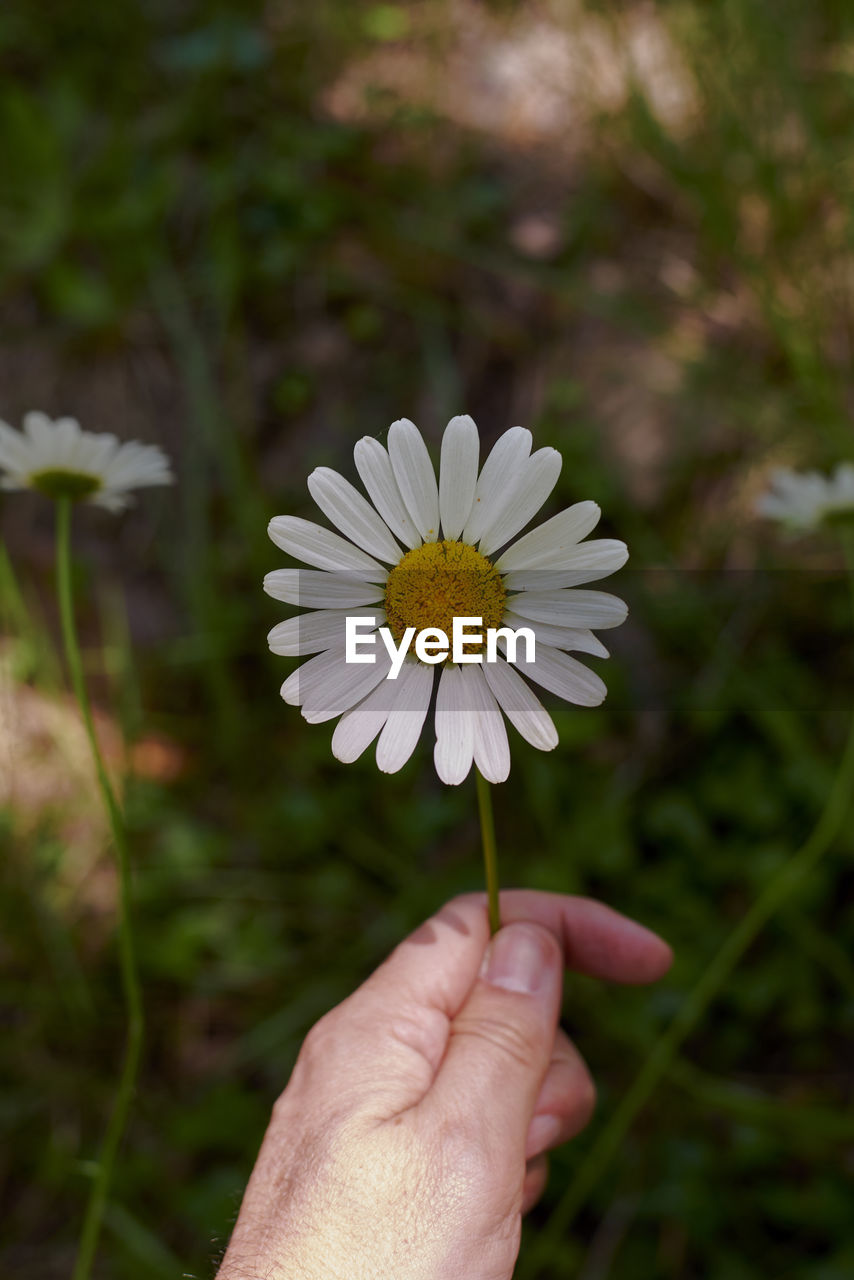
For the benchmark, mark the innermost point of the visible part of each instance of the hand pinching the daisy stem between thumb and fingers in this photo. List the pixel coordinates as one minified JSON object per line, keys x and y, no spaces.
{"x":414,"y":1130}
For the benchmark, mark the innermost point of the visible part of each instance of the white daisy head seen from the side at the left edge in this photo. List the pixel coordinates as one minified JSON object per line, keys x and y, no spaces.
{"x":62,"y":461}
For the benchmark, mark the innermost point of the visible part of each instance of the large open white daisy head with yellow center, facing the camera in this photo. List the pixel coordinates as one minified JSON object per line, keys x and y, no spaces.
{"x":422,"y":554}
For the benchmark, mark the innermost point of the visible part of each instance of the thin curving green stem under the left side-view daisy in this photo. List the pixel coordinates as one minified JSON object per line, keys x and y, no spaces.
{"x":99,"y":1194}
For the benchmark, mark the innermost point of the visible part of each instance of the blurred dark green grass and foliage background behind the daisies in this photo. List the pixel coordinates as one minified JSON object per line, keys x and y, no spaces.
{"x":254,"y":232}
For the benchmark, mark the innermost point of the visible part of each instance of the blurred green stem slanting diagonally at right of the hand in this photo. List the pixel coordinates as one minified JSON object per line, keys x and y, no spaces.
{"x":669,"y":1045}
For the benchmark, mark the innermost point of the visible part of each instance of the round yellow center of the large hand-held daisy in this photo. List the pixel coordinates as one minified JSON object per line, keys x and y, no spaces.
{"x":439,"y":582}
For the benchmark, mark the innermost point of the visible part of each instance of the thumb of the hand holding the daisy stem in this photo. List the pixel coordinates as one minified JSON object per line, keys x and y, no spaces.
{"x":503,"y":1039}
